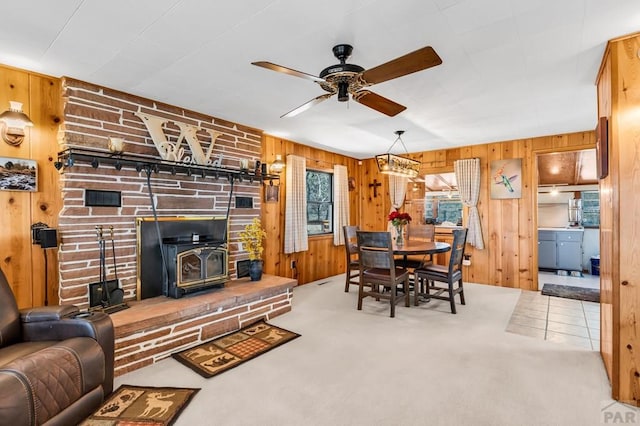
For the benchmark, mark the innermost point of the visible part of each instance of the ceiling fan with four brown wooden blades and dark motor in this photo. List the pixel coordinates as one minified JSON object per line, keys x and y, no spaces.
{"x":350,"y":79}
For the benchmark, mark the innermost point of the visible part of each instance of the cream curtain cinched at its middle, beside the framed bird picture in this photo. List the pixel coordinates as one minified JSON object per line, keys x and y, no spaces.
{"x":468,"y":178}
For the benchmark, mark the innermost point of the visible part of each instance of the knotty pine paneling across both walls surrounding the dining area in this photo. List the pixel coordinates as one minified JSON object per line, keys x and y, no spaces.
{"x":510,"y":258}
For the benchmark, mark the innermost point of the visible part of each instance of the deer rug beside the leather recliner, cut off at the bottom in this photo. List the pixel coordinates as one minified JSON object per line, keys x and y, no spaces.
{"x":141,"y":405}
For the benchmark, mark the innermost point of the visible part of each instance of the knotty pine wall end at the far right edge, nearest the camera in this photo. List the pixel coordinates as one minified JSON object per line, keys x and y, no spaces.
{"x":619,"y":100}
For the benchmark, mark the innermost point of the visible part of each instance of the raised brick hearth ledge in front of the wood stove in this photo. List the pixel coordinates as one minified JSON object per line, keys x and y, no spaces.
{"x":153,"y":329}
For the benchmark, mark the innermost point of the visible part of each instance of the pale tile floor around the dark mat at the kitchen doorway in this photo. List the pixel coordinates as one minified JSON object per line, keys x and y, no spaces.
{"x":558,"y":319}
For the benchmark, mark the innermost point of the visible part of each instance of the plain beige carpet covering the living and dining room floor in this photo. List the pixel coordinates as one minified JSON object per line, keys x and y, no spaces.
{"x":424,"y":367}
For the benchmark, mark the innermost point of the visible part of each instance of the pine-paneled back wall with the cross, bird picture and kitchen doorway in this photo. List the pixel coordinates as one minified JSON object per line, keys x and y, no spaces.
{"x":510,"y":257}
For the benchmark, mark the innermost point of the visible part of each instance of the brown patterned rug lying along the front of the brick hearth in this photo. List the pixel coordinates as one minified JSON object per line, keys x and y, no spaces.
{"x":231,"y":350}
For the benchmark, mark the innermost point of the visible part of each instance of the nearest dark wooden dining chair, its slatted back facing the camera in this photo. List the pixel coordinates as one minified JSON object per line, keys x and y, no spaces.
{"x":379,"y":271}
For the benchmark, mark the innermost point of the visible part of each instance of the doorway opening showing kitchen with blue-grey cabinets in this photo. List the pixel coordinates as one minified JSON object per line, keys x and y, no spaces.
{"x":567,"y":219}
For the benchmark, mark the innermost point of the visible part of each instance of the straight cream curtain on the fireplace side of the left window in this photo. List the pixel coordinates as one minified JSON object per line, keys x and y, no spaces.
{"x":295,"y":219}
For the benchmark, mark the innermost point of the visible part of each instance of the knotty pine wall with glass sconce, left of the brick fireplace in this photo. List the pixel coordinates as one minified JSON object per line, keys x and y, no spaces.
{"x":22,"y":262}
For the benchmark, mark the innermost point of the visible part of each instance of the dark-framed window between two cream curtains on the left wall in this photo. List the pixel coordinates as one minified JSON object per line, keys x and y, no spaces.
{"x":319,"y":202}
